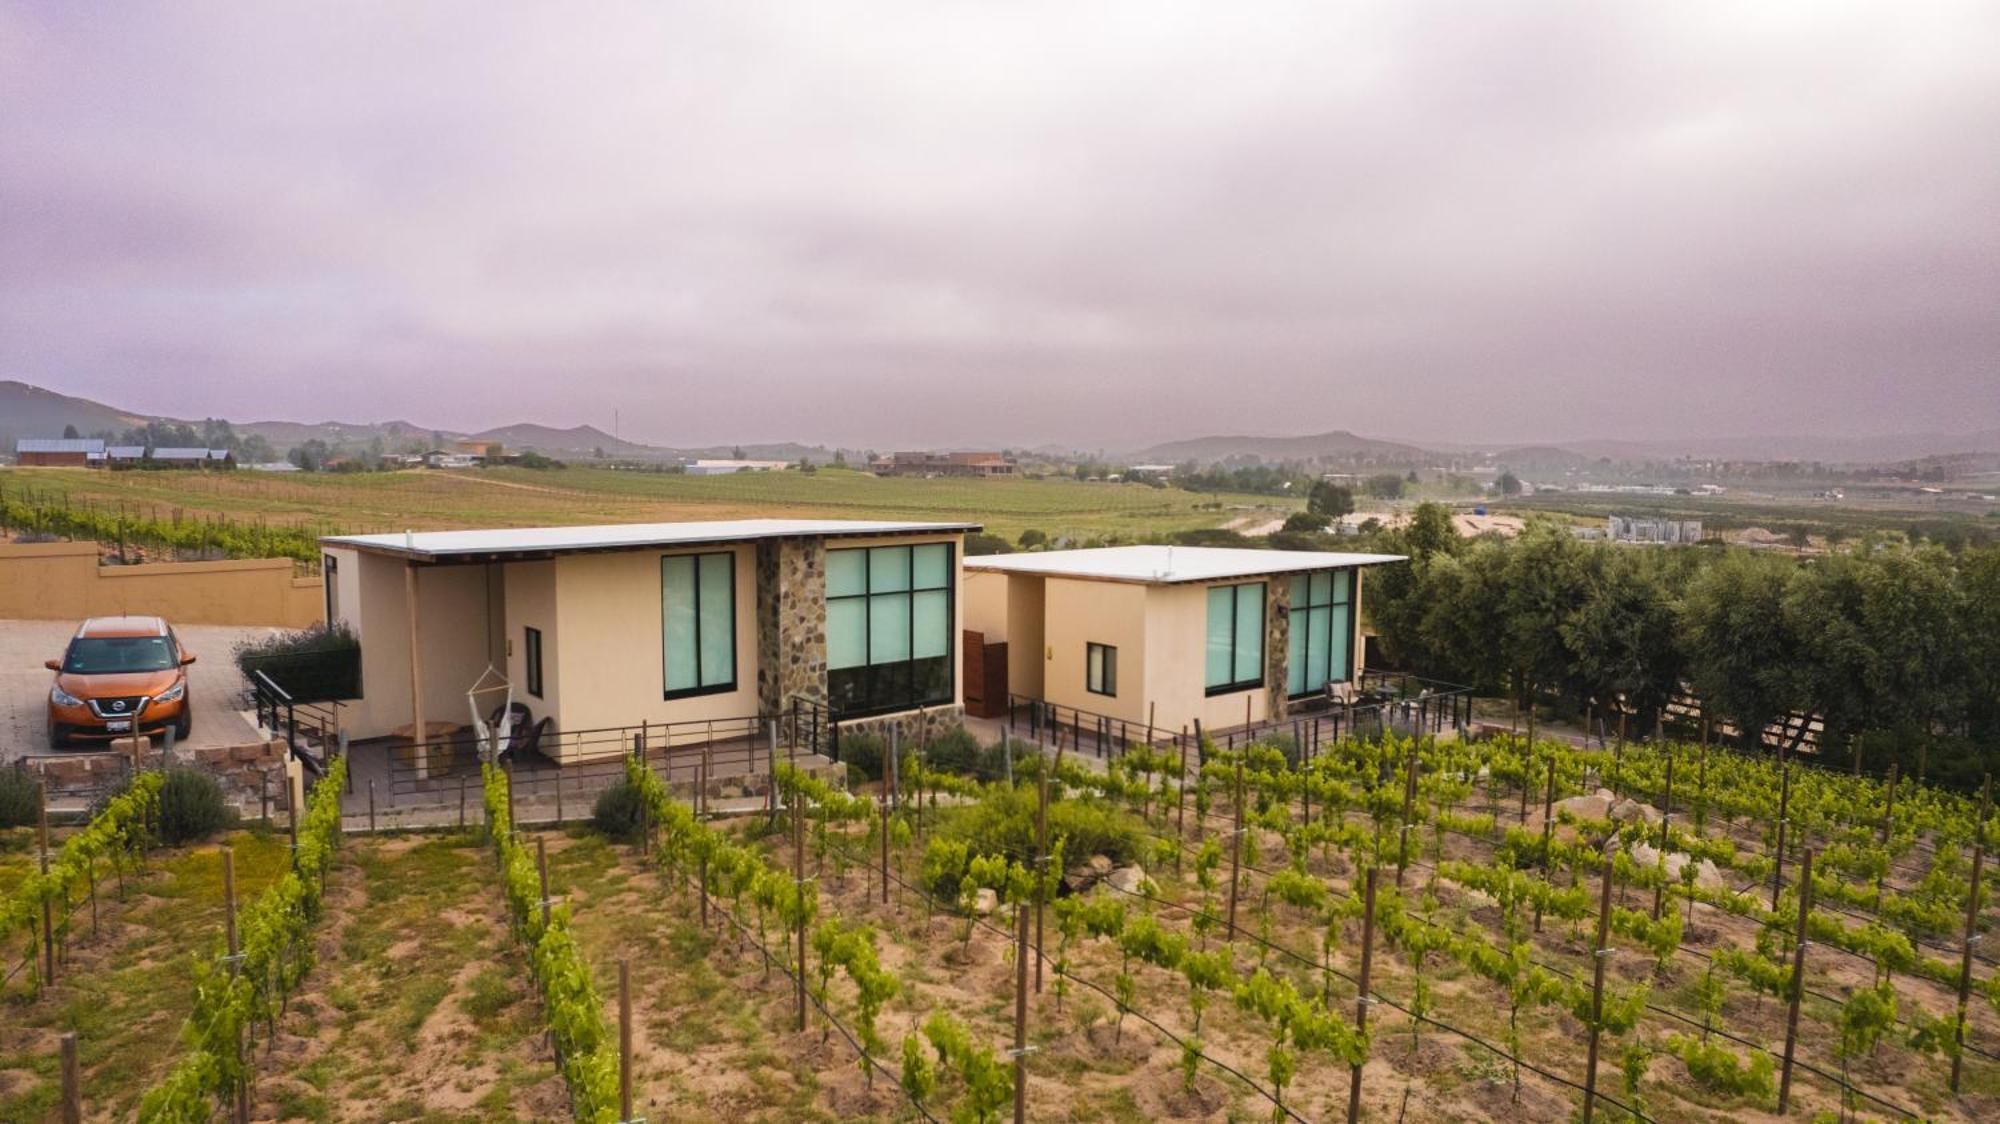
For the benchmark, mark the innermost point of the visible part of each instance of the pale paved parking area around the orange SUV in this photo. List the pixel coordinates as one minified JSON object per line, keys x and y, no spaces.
{"x":217,"y":689}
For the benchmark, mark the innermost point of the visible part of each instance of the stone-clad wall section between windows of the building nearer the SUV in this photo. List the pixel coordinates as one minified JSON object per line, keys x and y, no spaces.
{"x":791,"y":621}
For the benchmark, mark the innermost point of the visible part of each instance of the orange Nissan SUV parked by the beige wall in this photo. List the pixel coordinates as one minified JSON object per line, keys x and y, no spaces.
{"x":121,"y":675}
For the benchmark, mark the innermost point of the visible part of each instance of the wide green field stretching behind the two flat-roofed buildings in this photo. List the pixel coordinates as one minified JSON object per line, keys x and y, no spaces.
{"x":519,"y":497}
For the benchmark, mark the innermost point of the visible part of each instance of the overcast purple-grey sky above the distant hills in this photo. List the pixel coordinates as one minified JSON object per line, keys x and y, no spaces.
{"x":1011,"y":223}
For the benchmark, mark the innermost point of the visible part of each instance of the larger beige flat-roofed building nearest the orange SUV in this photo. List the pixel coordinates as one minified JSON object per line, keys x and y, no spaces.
{"x":611,"y":627}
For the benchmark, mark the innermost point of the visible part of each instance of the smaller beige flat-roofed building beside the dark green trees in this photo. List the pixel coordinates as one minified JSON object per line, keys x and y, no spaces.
{"x":1173,"y":635}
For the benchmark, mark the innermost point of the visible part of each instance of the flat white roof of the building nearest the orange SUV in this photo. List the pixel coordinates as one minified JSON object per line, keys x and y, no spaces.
{"x":429,"y":545}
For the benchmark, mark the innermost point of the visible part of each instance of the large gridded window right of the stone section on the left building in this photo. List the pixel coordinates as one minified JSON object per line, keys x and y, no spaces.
{"x":889,"y":629}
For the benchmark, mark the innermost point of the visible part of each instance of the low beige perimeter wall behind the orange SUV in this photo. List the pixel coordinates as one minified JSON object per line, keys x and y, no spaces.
{"x":63,"y":581}
